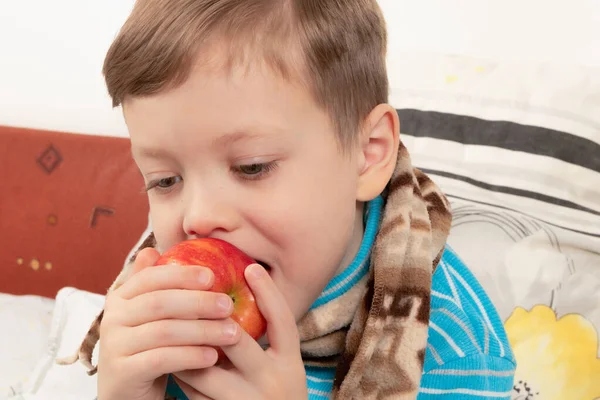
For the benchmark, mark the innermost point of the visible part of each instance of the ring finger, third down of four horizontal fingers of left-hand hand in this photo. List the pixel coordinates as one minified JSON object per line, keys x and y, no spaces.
{"x":170,"y":333}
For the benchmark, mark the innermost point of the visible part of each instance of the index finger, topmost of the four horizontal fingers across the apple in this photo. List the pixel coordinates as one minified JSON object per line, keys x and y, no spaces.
{"x":167,"y":277}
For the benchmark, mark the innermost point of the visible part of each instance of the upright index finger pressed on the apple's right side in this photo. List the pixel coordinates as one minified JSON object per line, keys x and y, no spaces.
{"x":281,"y":324}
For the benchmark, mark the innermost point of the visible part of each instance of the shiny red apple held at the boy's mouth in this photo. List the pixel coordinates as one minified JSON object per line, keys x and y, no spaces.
{"x":228,"y":264}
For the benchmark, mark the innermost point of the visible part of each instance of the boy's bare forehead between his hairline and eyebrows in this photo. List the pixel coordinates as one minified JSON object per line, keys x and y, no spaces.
{"x":250,"y":103}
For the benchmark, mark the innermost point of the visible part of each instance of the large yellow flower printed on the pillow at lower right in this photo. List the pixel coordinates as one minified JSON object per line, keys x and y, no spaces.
{"x":556,"y":358}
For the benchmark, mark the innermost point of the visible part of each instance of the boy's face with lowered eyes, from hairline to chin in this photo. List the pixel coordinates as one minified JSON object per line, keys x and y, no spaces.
{"x":251,"y":159}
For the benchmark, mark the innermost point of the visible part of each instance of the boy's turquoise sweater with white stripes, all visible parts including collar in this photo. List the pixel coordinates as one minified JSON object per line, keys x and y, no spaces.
{"x":468,"y":355}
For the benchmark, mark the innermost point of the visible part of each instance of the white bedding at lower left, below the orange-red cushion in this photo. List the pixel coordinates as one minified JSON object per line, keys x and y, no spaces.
{"x":39,"y":331}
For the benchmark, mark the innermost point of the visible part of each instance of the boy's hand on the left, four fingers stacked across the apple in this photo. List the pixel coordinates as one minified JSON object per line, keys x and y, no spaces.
{"x":160,"y":321}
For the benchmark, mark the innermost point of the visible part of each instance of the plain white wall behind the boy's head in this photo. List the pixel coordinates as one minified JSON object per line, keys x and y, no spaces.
{"x":51,"y":52}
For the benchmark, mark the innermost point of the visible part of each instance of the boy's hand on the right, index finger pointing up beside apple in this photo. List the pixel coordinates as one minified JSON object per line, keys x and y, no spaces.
{"x":277,"y":373}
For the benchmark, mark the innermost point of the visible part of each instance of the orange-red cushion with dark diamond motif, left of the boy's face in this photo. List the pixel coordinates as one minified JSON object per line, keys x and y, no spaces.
{"x":71,"y":209}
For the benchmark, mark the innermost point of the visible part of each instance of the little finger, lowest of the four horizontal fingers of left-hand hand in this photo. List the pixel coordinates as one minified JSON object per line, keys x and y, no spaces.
{"x":154,"y":363}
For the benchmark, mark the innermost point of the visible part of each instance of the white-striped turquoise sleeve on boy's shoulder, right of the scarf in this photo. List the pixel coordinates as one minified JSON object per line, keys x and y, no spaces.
{"x":467,"y":343}
